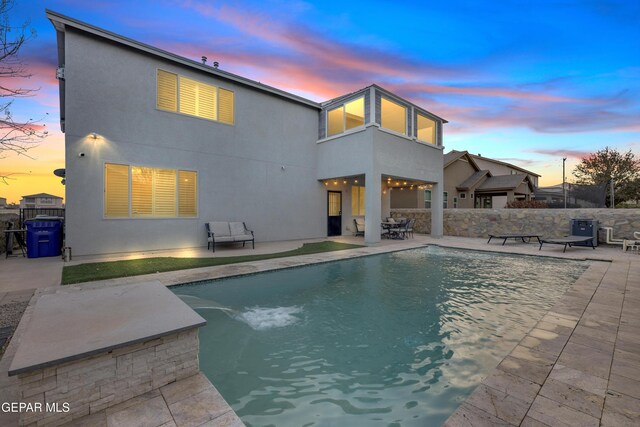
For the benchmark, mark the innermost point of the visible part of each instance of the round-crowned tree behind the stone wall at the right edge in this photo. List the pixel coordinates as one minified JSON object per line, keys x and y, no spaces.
{"x":607,"y":164}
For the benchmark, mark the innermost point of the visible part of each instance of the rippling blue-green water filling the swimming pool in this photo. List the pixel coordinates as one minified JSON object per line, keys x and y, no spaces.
{"x":394,"y":339}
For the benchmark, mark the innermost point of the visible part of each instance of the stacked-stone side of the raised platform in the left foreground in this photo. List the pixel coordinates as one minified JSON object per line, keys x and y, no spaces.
{"x":98,"y":382}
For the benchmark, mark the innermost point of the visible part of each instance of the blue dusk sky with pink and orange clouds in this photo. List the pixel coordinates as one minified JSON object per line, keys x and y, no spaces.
{"x":520,"y":81}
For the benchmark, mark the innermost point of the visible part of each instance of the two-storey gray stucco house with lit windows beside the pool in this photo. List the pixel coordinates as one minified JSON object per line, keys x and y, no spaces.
{"x":157,"y":145}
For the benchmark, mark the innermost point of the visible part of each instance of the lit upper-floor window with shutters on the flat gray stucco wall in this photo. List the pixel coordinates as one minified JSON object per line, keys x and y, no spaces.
{"x":181,"y":94}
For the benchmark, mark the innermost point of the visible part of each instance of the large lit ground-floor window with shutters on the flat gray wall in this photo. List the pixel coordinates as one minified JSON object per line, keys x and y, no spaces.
{"x":145,"y":192}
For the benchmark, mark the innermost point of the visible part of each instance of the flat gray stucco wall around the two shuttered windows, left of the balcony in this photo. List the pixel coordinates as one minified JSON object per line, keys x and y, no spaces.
{"x":262,"y":170}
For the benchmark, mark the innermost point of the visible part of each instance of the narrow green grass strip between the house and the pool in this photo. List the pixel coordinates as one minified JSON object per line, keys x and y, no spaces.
{"x":113,"y":269}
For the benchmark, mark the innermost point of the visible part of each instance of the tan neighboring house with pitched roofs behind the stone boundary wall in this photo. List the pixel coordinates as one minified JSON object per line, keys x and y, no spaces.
{"x":467,"y":185}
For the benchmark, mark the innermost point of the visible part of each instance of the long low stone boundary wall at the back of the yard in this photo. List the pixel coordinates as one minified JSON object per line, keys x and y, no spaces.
{"x":546,"y":222}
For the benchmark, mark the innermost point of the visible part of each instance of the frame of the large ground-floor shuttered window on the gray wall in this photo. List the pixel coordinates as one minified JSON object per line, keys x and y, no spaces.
{"x":129,"y":183}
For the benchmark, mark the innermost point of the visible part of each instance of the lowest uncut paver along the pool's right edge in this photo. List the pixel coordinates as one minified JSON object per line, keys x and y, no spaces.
{"x":499,"y":404}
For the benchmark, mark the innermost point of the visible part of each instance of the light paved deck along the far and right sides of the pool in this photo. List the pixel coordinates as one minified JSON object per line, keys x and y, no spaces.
{"x":580,"y":365}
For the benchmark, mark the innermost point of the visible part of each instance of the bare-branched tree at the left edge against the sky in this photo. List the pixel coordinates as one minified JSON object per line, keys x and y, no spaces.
{"x":16,"y":136}
